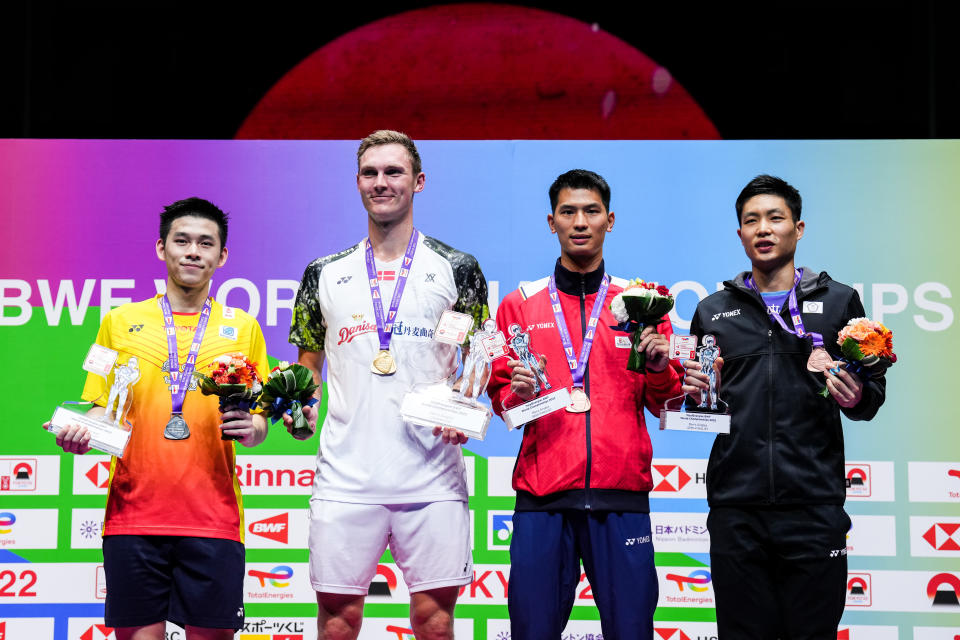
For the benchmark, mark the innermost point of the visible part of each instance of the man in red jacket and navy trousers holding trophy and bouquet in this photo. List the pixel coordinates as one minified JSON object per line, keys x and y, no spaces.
{"x":583,"y":474}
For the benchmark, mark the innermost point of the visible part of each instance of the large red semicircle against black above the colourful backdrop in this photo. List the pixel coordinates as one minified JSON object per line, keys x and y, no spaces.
{"x":478,"y":71}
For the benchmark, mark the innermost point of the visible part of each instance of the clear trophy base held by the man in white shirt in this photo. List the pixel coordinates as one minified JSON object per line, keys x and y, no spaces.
{"x":438,"y":405}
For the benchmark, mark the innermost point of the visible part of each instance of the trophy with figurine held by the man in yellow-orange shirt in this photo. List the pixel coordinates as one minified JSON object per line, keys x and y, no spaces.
{"x":108,"y":433}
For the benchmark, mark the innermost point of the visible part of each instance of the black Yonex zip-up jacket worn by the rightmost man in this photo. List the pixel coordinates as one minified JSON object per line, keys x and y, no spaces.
{"x":785,"y":445}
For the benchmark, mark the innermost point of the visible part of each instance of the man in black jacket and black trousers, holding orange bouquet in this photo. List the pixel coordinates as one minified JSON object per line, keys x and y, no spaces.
{"x":775,"y":484}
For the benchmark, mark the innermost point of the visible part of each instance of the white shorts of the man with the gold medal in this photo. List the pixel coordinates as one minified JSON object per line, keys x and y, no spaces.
{"x":430,"y":543}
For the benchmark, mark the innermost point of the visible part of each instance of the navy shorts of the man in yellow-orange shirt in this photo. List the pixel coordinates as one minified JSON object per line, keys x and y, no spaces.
{"x":188,"y":581}
